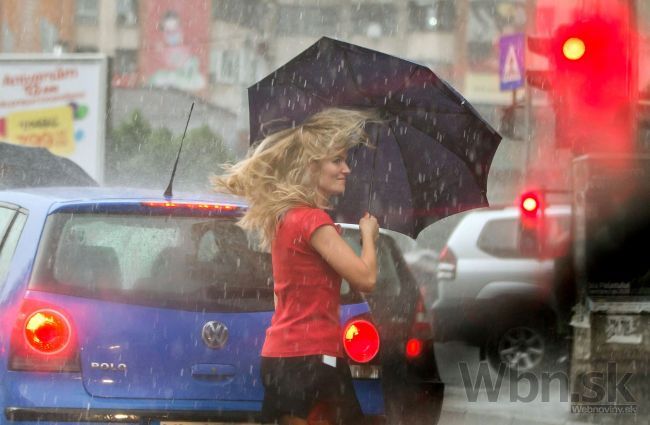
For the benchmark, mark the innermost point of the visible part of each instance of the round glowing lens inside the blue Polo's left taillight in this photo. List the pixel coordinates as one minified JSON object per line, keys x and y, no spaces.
{"x":47,"y":331}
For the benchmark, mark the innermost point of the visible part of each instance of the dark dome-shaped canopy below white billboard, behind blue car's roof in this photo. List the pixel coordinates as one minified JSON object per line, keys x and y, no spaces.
{"x":22,"y":166}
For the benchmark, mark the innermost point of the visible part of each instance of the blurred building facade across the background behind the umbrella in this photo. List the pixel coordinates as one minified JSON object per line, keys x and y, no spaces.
{"x":215,"y":49}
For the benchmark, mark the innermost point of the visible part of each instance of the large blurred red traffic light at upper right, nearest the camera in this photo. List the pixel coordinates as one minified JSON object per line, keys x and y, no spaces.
{"x":589,"y":82}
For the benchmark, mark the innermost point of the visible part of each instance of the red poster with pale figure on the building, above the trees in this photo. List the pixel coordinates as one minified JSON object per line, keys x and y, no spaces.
{"x":175,"y":49}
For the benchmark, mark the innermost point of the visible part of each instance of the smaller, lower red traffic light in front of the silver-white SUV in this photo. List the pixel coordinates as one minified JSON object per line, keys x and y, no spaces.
{"x":531,"y":223}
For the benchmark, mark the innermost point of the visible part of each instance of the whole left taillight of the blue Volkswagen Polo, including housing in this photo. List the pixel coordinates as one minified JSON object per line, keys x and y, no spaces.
{"x":43,"y":339}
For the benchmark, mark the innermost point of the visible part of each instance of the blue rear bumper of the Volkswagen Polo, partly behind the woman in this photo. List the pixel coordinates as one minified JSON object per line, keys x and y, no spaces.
{"x":62,"y":399}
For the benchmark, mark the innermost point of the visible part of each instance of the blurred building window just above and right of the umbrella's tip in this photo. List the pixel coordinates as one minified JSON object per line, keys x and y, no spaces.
{"x":374,"y":19}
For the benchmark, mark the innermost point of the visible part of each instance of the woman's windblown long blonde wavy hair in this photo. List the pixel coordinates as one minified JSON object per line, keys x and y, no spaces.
{"x":277,"y":174}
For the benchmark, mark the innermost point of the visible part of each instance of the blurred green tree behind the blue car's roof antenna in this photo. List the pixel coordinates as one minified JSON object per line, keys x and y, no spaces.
{"x":143,"y":156}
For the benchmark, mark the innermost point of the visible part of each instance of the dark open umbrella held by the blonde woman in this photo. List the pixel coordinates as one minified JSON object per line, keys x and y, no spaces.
{"x":433,"y":150}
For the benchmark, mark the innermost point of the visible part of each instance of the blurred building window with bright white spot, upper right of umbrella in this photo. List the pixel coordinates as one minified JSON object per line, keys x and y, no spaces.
{"x":439,"y":15}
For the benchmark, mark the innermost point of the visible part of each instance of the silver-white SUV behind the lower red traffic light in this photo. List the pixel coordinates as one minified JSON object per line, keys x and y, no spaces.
{"x":492,"y":295}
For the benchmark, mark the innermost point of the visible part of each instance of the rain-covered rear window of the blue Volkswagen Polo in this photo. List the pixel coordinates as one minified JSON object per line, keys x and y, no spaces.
{"x":194,"y":263}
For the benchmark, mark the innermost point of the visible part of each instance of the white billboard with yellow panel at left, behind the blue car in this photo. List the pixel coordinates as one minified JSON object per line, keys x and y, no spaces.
{"x":58,"y":103}
